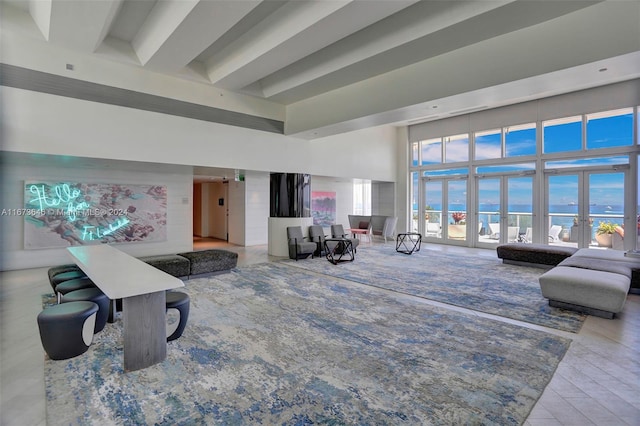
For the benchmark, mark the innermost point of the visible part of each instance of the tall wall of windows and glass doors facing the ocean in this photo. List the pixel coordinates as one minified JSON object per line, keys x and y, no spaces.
{"x":564,"y":180}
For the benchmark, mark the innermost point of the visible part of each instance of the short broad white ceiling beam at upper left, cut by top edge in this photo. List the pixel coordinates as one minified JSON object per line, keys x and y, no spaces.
{"x":80,"y":25}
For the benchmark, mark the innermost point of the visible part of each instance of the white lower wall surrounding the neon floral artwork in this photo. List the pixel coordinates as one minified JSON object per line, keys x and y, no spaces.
{"x":179,"y":211}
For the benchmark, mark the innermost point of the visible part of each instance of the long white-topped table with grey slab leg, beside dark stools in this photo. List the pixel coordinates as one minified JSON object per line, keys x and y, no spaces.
{"x":142,"y":290}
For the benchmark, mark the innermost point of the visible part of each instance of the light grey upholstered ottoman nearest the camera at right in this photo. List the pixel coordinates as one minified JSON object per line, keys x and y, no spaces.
{"x":594,"y":292}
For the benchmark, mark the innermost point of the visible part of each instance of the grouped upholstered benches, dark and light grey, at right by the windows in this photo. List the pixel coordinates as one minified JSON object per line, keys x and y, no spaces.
{"x":591,"y":281}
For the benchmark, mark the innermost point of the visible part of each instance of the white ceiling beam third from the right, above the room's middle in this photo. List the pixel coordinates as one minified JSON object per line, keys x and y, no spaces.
{"x":295,"y":31}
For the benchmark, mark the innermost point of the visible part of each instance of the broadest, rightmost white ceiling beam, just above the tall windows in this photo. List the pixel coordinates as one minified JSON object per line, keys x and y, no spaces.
{"x":492,"y":72}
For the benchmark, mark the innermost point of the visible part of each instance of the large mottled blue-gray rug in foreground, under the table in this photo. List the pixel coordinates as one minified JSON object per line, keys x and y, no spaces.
{"x":274,"y":345}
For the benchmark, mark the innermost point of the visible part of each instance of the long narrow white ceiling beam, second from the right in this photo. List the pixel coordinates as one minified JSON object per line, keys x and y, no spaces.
{"x":406,"y":26}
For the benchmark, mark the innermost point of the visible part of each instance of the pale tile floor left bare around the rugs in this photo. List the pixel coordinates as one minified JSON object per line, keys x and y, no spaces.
{"x":597,"y":382}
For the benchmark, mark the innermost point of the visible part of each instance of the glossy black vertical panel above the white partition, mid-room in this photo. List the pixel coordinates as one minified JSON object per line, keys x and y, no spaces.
{"x":290,"y":195}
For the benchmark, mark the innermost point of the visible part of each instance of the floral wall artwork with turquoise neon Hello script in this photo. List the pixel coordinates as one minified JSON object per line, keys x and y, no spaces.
{"x":72,"y":213}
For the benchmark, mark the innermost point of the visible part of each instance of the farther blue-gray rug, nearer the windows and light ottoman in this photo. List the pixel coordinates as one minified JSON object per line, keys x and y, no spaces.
{"x":481,"y":283}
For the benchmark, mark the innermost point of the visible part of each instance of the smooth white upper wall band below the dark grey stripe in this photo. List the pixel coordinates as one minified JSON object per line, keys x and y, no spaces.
{"x":74,"y":127}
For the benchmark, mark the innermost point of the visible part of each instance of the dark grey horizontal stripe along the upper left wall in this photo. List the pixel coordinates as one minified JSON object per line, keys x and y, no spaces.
{"x":27,"y":79}
